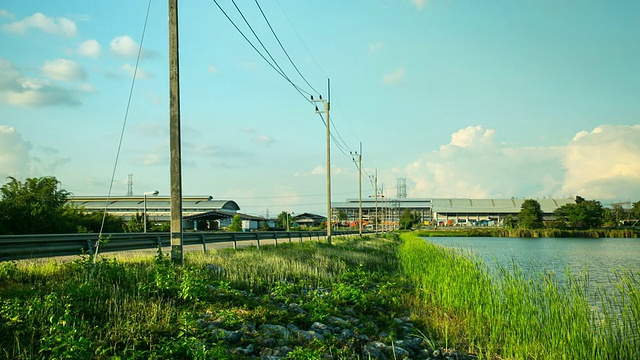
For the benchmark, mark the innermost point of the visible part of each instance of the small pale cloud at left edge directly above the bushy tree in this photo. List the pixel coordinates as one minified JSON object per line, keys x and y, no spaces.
{"x":14,"y":154}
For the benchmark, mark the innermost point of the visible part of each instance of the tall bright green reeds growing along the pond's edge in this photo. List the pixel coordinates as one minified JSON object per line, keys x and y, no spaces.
{"x":522,"y":316}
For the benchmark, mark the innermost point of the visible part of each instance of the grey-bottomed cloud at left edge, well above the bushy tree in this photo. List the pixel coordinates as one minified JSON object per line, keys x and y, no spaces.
{"x":18,"y":90}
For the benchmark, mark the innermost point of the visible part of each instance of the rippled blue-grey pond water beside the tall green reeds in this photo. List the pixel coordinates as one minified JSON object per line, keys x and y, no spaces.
{"x":594,"y":262}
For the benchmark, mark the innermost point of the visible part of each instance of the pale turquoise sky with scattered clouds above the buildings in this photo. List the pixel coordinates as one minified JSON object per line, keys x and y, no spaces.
{"x":462,"y":99}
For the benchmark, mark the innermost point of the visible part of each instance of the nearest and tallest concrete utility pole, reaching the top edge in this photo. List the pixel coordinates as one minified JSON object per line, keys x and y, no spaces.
{"x":174,"y":137}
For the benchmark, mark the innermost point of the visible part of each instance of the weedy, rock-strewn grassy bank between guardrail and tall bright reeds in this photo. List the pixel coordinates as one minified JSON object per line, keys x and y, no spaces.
{"x":146,"y":308}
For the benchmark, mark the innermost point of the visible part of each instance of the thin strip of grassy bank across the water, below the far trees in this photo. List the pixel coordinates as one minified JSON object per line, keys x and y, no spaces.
{"x":529,"y":233}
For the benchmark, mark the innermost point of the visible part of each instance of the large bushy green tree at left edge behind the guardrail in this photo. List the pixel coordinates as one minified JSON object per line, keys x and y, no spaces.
{"x":32,"y":207}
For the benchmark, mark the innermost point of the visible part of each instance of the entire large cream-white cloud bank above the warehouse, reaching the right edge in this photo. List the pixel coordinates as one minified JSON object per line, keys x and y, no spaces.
{"x":602,"y":164}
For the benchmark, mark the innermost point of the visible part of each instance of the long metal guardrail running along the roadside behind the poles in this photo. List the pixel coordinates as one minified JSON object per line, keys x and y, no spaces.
{"x":16,"y":247}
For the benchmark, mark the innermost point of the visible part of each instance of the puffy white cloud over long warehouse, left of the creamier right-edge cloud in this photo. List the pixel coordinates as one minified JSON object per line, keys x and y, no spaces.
{"x":475,"y":165}
